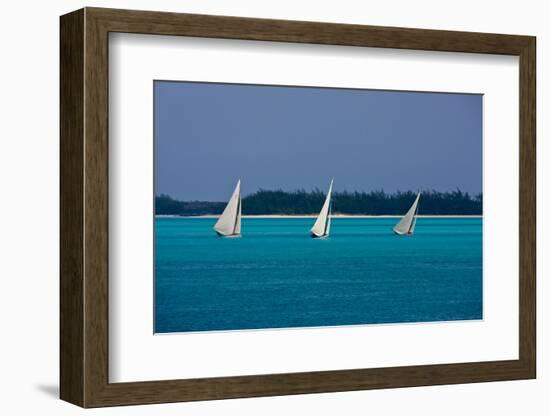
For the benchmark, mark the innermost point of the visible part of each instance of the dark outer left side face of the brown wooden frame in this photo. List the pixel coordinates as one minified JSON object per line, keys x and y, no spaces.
{"x":71,"y":208}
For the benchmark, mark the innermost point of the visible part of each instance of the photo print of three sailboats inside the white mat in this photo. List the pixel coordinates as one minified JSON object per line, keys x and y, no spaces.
{"x":307,"y":207}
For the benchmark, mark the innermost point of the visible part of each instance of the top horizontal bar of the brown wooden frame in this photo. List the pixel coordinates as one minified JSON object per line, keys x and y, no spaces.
{"x":162,"y":23}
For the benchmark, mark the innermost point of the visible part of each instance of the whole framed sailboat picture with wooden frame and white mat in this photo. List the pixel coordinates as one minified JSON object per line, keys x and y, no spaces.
{"x":260,"y":207}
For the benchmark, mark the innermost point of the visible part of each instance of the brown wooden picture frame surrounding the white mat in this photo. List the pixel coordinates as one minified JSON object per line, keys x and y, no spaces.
{"x":84,"y":207}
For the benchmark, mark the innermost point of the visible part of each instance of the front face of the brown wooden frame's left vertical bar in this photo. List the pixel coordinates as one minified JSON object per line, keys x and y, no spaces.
{"x":96,"y":219}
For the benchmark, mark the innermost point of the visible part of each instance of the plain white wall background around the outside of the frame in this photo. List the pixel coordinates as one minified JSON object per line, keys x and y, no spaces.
{"x":29,"y":159}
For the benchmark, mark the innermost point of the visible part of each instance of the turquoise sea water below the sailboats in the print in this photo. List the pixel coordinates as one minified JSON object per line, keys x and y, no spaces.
{"x":276,"y":276}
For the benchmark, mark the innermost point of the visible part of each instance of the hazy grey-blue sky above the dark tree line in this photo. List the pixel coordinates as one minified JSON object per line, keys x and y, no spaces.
{"x":209,"y":135}
